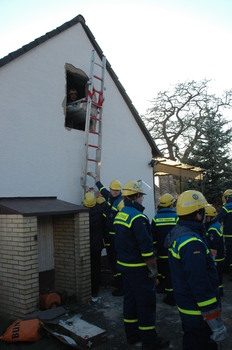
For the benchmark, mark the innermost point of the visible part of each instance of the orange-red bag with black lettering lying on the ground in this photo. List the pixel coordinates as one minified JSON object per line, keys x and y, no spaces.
{"x":23,"y":330}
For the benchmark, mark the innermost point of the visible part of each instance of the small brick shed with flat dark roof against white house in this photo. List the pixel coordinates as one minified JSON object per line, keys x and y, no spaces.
{"x":21,"y":256}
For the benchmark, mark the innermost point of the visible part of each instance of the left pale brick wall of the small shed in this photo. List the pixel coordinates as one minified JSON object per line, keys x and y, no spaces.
{"x":19,"y":278}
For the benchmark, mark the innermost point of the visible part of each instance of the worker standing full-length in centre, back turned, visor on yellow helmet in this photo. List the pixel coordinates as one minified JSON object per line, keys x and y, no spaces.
{"x":136,"y":261}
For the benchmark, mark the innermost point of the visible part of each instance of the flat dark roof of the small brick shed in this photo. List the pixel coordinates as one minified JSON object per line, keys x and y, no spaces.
{"x":38,"y":206}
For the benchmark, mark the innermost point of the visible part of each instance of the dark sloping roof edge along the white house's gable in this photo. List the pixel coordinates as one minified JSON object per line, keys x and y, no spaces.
{"x":80,"y":19}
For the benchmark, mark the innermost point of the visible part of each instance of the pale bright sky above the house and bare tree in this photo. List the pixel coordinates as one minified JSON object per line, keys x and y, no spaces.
{"x":150,"y":44}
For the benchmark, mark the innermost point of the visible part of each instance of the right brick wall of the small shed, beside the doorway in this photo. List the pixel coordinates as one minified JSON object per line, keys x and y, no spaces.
{"x":72,"y":255}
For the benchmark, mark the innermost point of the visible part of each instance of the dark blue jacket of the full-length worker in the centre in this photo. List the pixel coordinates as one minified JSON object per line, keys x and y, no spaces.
{"x":133,"y":238}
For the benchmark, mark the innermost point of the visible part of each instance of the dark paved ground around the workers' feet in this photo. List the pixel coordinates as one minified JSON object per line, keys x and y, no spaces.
{"x":107,"y":314}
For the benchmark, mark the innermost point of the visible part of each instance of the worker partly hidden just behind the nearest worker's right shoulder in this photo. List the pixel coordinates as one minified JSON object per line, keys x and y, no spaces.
{"x":215,"y":240}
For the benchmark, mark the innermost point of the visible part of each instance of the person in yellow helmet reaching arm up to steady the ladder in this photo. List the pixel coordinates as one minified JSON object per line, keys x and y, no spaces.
{"x":114,"y":203}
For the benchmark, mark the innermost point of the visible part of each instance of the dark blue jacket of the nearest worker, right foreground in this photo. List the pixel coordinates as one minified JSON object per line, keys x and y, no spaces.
{"x":194,"y":275}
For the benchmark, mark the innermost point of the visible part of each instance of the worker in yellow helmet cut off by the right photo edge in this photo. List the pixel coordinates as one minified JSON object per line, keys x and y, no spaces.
{"x":225,"y":217}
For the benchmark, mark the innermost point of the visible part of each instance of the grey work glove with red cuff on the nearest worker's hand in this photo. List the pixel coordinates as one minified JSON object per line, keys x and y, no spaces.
{"x":213,"y":318}
